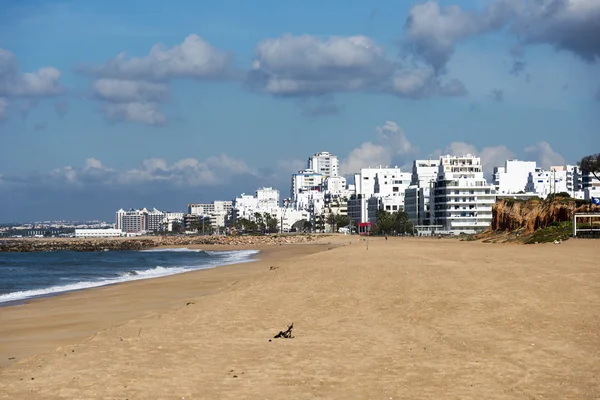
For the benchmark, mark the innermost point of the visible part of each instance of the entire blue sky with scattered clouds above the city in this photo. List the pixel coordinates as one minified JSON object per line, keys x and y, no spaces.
{"x":151,"y":103}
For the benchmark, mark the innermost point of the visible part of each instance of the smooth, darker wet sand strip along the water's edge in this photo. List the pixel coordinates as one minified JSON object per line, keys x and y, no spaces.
{"x":74,"y":317}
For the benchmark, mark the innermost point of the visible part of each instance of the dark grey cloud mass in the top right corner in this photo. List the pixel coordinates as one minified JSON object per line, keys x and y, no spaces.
{"x":432,"y":31}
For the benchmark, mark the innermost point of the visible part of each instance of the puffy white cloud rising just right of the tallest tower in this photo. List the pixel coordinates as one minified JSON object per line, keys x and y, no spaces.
{"x":391,"y":147}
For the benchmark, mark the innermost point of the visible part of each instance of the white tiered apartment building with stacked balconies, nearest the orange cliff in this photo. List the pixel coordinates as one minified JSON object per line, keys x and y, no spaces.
{"x":462,"y":200}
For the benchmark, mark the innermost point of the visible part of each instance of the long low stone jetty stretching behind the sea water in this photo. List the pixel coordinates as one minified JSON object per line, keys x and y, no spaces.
{"x":143,"y":243}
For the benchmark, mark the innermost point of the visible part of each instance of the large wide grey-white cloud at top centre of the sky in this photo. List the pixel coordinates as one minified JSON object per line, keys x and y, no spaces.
{"x":311,"y":66}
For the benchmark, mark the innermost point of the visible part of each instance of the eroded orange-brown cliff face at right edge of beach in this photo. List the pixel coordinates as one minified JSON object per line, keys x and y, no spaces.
{"x":510,"y":215}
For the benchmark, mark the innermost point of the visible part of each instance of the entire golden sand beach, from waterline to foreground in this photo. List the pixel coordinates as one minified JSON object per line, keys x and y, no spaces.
{"x":407,"y":318}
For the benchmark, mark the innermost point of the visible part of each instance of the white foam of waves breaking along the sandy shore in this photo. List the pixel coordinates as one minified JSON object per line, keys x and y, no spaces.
{"x":232,"y":257}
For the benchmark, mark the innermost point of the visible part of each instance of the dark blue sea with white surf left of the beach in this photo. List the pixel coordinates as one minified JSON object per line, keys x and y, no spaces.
{"x":29,"y":275}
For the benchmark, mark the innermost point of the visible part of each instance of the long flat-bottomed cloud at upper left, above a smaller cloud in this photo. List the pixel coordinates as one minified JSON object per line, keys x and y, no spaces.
{"x":193,"y":58}
